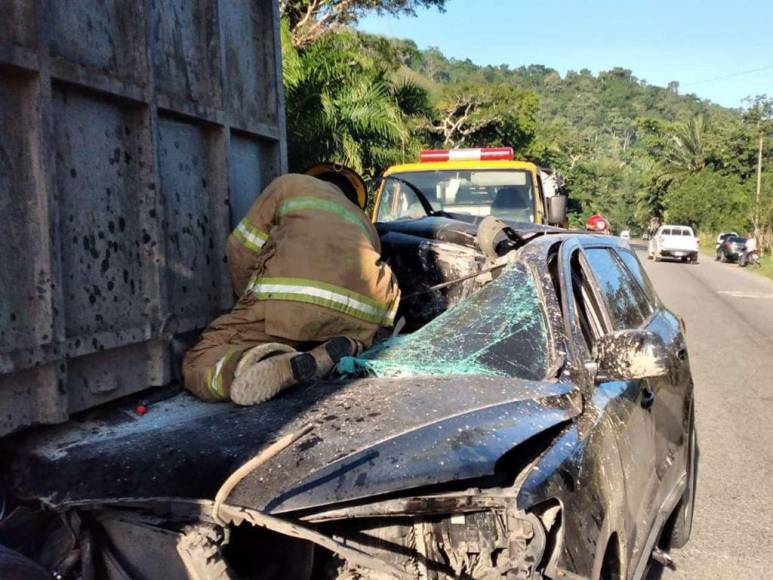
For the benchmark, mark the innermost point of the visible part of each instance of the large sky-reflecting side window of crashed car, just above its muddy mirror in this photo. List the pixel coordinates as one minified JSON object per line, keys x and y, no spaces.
{"x":622,"y":294}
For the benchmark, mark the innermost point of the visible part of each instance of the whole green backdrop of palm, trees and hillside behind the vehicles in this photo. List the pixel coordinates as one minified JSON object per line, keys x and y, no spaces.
{"x":626,"y":148}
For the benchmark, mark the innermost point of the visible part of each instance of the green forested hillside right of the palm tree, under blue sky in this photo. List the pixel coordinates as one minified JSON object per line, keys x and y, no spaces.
{"x":626,"y":148}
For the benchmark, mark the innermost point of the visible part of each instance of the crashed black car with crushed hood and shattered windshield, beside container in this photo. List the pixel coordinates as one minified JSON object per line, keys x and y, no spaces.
{"x":535,"y":419}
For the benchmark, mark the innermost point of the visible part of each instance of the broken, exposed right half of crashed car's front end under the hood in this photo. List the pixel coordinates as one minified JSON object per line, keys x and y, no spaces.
{"x":472,"y":534}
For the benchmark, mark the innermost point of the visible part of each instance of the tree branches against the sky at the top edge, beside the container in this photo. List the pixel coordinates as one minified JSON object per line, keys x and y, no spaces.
{"x":309,"y":20}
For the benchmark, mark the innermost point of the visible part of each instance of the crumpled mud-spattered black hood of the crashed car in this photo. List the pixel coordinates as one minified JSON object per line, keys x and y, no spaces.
{"x":367,"y":437}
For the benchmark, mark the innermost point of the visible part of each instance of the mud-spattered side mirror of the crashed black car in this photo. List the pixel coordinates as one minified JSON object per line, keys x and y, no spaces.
{"x":627,"y":355}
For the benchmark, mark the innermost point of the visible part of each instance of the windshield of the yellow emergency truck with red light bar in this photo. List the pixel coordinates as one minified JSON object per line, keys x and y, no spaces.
{"x":505,"y":193}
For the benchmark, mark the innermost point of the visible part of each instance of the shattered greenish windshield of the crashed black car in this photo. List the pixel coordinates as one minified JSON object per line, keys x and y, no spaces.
{"x":501,"y":330}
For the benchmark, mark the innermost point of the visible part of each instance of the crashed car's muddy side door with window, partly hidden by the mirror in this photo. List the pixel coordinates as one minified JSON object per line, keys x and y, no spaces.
{"x":622,"y":308}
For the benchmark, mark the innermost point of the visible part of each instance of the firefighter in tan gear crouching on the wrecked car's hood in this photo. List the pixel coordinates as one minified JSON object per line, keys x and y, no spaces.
{"x":306,"y":264}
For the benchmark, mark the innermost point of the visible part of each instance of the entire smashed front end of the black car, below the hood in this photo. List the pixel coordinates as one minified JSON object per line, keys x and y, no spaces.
{"x":471,"y":534}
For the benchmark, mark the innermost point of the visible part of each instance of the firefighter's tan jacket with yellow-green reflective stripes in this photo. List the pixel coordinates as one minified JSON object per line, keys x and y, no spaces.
{"x":314,"y":258}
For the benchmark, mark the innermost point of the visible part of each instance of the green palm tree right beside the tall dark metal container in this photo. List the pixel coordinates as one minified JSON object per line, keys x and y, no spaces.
{"x":343,"y":107}
